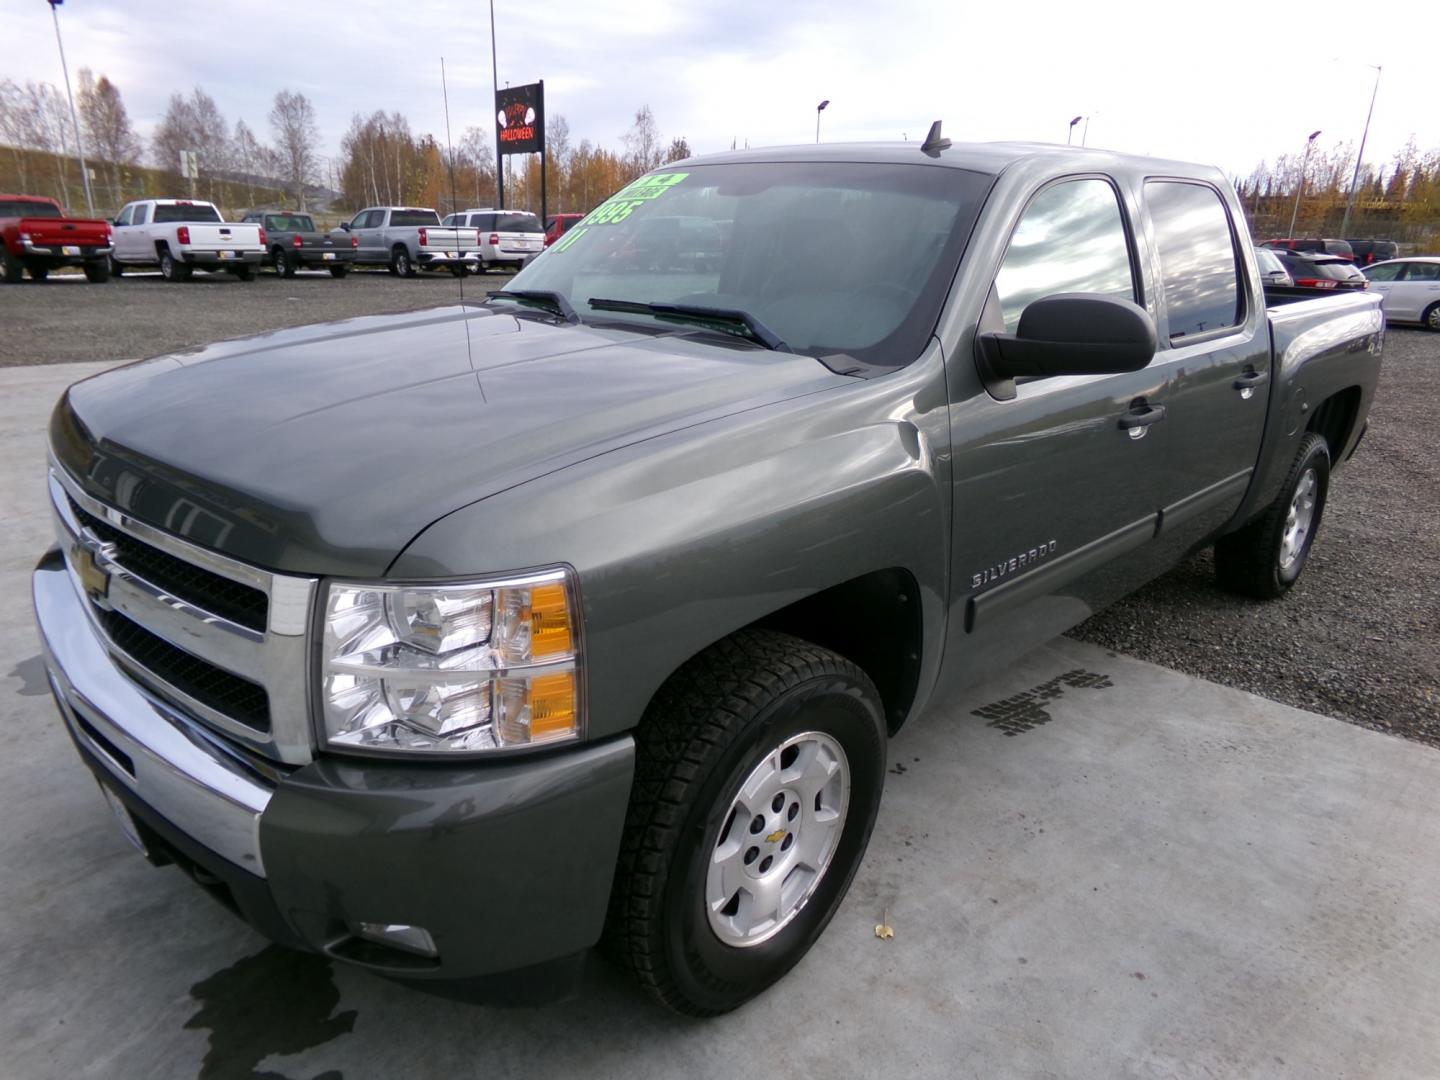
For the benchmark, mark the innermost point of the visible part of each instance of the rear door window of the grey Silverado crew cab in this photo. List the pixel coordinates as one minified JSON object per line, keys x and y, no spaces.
{"x":1200,"y":269}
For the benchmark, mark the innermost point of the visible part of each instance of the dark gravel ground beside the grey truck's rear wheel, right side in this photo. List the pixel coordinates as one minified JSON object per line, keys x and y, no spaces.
{"x":1359,"y":639}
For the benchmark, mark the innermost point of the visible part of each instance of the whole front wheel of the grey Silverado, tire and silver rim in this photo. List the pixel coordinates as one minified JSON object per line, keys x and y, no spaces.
{"x":760,"y":771}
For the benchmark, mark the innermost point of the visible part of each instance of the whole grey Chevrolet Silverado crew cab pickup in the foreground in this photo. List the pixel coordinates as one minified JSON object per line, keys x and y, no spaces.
{"x":457,"y":643}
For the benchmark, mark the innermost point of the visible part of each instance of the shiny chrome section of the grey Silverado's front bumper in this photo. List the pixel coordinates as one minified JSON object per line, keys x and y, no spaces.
{"x":174,"y":765}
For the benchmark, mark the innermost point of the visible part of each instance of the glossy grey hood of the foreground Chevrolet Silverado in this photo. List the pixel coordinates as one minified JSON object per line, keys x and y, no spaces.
{"x":325,"y":450}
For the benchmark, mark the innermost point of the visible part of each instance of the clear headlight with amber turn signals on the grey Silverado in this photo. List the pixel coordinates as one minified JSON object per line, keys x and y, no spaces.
{"x":476,"y":666}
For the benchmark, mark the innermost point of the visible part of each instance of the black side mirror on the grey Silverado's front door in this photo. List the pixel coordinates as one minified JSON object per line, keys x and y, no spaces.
{"x":1072,"y":333}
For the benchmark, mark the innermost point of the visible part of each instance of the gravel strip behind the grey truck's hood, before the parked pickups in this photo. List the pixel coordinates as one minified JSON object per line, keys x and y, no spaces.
{"x":140,"y":315}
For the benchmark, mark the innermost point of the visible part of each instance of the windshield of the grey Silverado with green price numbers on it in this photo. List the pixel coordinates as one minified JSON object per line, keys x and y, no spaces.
{"x":833,"y":257}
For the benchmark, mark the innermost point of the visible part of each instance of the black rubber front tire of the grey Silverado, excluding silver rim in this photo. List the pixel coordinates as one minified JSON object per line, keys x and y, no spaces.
{"x":715,"y":722}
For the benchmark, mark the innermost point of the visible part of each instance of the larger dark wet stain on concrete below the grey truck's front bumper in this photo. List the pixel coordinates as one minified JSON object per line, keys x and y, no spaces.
{"x":277,"y":1002}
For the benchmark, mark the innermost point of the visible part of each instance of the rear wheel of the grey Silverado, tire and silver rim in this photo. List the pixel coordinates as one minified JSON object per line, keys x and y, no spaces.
{"x":1262,"y":559}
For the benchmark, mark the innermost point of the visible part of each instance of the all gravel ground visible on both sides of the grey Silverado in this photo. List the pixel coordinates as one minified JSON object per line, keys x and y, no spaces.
{"x":1359,"y":639}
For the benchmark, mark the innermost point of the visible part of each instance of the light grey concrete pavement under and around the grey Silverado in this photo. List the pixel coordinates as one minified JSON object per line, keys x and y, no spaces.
{"x":1094,"y":868}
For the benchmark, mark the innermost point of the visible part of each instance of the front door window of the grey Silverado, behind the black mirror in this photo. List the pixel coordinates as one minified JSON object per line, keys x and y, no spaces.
{"x":1071,"y":240}
